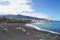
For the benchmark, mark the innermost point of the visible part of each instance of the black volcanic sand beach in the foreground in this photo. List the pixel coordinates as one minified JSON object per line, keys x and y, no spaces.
{"x":14,"y":34}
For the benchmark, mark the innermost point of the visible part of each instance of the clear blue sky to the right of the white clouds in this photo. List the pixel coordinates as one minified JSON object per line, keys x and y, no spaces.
{"x":48,"y":7}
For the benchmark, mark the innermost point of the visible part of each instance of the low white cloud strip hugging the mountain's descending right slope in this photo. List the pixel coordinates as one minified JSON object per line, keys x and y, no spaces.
{"x":38,"y":15}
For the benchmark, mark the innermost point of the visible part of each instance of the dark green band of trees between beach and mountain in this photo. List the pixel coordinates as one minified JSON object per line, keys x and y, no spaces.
{"x":14,"y":20}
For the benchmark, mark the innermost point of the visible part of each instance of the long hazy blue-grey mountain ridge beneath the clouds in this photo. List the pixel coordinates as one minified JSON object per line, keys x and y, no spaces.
{"x":21,"y":16}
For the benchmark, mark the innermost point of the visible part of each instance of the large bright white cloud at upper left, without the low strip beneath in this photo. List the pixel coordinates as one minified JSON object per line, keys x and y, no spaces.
{"x":15,"y":6}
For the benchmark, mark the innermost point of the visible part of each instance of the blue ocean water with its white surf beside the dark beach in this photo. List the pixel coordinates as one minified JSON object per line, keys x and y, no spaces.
{"x":53,"y":27}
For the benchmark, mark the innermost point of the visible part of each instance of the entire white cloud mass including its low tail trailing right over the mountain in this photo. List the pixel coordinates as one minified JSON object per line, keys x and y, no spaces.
{"x":22,"y":7}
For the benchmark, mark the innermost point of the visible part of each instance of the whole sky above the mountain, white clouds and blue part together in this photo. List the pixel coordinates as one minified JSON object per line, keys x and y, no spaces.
{"x":49,"y":9}
